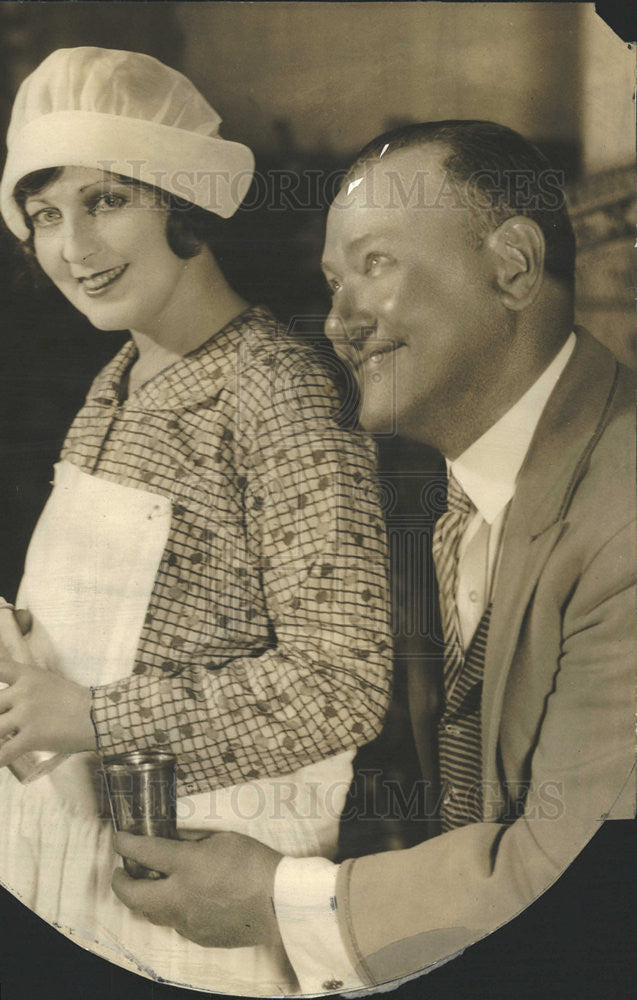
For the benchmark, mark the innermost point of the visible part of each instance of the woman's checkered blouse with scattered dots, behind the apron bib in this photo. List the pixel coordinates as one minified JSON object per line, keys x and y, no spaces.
{"x":266,"y":644}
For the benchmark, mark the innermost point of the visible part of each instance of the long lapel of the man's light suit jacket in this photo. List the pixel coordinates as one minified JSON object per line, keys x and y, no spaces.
{"x":556,"y":461}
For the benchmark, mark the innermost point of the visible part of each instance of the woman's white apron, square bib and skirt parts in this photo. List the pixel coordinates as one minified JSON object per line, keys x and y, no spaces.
{"x":88,"y":578}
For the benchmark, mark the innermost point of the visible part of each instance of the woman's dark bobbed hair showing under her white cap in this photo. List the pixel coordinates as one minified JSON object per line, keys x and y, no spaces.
{"x":188,"y":227}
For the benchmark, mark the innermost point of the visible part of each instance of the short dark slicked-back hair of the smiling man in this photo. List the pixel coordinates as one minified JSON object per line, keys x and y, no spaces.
{"x":497,"y":174}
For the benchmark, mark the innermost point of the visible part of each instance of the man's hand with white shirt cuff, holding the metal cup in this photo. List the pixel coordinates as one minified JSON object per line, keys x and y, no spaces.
{"x":230,"y":891}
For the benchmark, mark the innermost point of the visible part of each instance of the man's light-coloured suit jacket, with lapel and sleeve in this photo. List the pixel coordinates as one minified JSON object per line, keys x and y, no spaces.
{"x":558,"y":695}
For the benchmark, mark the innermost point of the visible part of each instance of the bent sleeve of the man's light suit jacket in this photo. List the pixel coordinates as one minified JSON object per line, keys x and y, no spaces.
{"x":403,"y":911}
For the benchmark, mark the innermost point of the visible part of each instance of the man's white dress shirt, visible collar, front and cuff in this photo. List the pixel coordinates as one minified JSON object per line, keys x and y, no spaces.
{"x":305,"y":888}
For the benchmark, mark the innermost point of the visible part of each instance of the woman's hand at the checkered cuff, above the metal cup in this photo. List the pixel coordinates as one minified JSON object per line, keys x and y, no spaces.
{"x":44,"y":711}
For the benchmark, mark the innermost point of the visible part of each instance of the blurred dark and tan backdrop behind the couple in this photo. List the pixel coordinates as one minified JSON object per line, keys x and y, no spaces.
{"x":306,"y":85}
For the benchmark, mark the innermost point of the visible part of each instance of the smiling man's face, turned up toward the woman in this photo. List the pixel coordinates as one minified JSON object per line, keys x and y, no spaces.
{"x":415,"y":307}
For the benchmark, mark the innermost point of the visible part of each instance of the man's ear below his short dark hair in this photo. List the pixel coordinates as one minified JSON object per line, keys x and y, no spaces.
{"x":519,"y":248}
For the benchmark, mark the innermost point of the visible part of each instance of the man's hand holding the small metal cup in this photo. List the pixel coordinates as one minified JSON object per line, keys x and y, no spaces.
{"x":217,"y":892}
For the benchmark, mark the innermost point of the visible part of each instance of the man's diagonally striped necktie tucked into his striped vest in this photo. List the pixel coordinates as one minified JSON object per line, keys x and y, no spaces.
{"x":446,"y":542}
